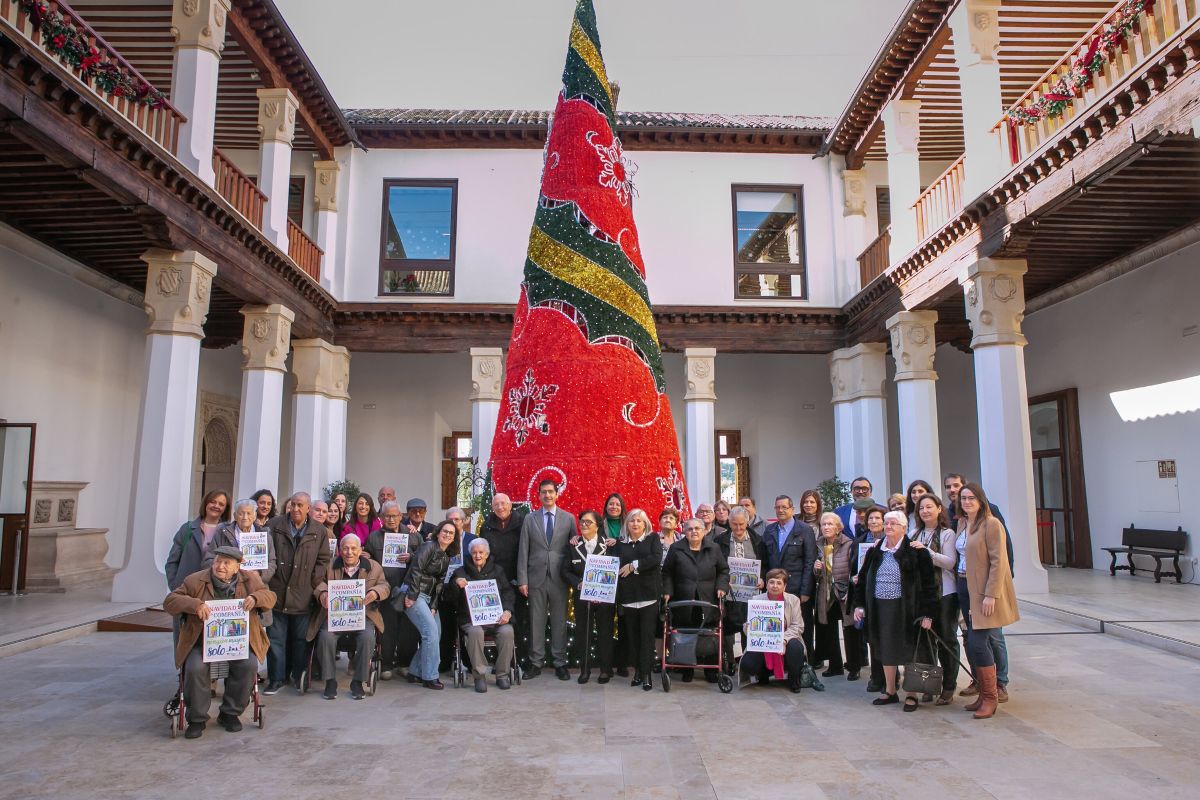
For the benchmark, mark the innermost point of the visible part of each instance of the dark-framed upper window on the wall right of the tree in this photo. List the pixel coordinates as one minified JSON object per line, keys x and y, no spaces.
{"x":769,"y":242}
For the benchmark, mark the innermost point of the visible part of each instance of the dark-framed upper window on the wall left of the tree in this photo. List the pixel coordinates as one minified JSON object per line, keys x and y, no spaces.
{"x":418,"y":240}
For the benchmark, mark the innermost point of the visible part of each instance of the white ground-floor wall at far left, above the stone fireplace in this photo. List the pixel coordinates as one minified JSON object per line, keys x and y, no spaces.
{"x":73,"y":360}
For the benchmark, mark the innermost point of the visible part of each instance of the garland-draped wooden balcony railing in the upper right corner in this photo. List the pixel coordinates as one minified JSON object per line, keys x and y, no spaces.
{"x":1126,"y":38}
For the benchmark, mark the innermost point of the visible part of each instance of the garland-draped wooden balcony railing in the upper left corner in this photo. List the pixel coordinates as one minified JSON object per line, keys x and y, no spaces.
{"x":100,"y":68}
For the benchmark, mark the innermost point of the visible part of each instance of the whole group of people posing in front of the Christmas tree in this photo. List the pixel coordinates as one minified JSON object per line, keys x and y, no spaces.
{"x":862,"y":587}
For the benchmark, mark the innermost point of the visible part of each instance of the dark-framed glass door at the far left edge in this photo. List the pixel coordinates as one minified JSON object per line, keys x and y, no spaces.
{"x":16,"y":479}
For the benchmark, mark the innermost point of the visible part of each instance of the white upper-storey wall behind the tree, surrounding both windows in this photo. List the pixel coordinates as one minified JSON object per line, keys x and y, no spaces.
{"x":683,"y":212}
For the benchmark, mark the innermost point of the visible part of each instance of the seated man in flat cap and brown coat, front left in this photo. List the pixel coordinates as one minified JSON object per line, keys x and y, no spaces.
{"x":225,"y":580}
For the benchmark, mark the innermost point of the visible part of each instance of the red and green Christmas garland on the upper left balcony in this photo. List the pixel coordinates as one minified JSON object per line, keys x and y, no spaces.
{"x":63,"y":39}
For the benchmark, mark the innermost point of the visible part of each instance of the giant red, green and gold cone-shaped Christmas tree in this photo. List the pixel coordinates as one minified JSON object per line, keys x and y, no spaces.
{"x":584,"y":399}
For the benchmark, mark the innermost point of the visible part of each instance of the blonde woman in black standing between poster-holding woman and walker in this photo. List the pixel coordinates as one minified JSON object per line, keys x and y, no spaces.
{"x":638,"y":592}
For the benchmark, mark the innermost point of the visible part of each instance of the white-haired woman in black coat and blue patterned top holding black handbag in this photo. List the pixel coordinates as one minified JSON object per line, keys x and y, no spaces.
{"x":897,"y":591}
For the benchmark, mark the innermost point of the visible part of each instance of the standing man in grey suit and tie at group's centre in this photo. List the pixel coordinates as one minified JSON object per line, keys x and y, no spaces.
{"x":545,"y":536}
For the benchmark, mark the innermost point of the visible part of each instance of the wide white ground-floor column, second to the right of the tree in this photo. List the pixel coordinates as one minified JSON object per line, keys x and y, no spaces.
{"x":860,"y":414}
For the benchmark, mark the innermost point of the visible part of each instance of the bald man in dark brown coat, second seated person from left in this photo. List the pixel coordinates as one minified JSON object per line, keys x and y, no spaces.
{"x":352,"y":564}
